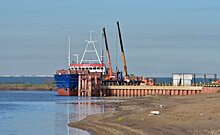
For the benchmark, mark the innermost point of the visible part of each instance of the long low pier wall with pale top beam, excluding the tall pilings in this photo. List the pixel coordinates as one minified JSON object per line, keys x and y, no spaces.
{"x":139,"y":91}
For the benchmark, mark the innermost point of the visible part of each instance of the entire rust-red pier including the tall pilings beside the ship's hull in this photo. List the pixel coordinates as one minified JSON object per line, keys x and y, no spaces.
{"x":90,"y":85}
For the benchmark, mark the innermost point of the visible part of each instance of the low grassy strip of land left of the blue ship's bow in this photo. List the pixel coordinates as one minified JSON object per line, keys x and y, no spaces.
{"x":28,"y":87}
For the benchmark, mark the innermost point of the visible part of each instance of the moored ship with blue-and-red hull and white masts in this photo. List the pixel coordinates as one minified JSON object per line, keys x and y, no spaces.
{"x":67,"y":80}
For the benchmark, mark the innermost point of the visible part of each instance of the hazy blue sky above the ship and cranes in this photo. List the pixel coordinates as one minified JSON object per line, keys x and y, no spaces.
{"x":160,"y":37}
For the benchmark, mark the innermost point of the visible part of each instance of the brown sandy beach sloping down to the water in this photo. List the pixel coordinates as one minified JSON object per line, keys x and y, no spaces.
{"x":191,"y":115}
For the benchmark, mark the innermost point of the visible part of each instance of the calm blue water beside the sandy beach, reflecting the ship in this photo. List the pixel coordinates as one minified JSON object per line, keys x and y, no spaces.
{"x":44,"y":113}
